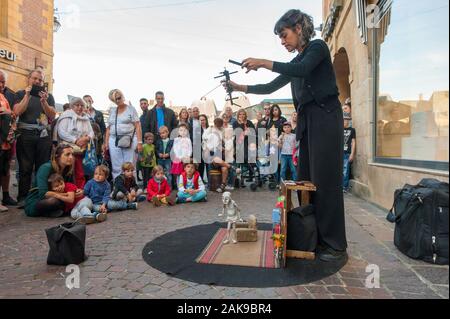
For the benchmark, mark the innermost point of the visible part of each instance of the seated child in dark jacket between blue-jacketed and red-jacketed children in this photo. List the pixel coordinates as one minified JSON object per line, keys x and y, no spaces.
{"x":125,"y":186}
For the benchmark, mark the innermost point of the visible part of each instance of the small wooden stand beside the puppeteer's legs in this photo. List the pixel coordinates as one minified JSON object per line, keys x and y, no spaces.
{"x":304,"y":188}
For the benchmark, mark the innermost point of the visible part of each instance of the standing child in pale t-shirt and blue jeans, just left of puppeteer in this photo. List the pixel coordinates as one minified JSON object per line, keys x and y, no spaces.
{"x":287,"y":143}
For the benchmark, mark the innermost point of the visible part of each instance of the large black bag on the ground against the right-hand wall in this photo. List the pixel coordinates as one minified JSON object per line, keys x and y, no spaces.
{"x":420,"y":214}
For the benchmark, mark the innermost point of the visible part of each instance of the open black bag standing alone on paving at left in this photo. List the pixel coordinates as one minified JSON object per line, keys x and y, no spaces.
{"x":67,"y":244}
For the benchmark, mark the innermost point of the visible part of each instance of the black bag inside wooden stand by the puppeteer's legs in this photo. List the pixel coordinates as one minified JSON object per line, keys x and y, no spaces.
{"x":302,"y":229}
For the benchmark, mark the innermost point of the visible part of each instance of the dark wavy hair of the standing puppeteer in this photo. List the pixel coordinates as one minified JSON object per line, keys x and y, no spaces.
{"x":291,"y":19}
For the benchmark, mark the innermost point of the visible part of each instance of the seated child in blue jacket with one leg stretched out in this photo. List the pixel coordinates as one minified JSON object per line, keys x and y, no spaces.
{"x":98,"y":190}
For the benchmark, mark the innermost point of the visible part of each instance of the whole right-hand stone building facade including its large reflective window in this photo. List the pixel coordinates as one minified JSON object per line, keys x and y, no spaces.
{"x":401,"y":120}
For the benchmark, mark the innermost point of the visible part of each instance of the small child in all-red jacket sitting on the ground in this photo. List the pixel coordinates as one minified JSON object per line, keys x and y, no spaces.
{"x":158,"y":189}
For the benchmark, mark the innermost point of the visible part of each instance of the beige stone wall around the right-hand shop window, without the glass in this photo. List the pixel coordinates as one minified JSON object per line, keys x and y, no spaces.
{"x":372,"y":181}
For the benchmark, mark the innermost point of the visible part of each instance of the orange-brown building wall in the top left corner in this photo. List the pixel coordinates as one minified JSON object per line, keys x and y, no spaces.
{"x":26,"y":28}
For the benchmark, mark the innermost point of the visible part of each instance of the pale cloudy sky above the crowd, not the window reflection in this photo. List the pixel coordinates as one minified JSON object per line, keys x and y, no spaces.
{"x":177,"y":46}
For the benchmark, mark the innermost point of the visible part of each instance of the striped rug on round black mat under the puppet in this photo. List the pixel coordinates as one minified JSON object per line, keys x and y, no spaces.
{"x":259,"y":254}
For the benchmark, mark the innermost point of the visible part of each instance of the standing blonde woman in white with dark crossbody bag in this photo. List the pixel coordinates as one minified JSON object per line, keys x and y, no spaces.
{"x":124,"y":133}
